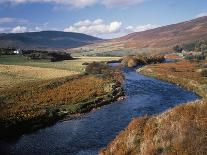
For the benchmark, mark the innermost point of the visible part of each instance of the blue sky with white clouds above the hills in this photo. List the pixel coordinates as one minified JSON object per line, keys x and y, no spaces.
{"x":100,"y":18}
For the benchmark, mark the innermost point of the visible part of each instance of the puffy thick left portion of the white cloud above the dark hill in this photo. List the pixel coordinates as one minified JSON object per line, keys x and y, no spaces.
{"x":96,"y":27}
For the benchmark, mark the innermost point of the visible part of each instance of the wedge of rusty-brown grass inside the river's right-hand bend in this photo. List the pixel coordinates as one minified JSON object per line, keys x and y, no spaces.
{"x":183,"y":73}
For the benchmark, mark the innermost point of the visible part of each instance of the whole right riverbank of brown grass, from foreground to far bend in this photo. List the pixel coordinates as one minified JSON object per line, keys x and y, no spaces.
{"x":181,"y":130}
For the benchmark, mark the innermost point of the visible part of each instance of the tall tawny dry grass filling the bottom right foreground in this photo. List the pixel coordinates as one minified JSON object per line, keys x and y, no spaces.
{"x":180,"y":131}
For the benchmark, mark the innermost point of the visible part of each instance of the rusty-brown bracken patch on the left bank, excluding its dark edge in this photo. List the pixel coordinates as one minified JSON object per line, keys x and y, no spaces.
{"x":30,"y":100}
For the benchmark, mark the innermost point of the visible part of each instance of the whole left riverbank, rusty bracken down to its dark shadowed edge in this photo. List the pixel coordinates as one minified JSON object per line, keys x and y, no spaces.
{"x":26,"y":108}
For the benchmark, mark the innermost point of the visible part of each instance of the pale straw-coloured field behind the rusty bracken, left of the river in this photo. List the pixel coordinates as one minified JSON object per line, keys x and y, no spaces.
{"x":11,"y":75}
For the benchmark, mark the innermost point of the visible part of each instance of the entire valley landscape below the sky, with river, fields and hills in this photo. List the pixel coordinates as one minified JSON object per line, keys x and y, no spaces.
{"x":140,"y":94}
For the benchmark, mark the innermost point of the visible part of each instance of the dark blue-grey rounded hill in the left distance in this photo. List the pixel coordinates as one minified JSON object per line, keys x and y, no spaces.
{"x":46,"y":40}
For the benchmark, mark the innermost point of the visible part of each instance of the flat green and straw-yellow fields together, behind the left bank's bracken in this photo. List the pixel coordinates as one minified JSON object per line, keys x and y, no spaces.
{"x":16,"y":69}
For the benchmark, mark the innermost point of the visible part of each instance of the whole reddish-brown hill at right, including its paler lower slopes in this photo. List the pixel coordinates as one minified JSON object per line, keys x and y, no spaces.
{"x":157,"y":40}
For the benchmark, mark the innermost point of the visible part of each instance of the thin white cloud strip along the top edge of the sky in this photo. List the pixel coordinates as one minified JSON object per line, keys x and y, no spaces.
{"x":78,"y":3}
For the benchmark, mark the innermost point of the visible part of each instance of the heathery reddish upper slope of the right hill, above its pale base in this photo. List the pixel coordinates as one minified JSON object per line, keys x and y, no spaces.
{"x":168,"y":35}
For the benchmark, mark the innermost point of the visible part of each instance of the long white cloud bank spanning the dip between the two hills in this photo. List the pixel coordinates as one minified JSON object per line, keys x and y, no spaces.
{"x":102,"y":29}
